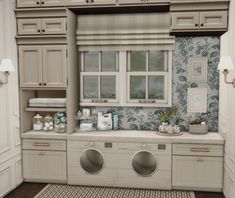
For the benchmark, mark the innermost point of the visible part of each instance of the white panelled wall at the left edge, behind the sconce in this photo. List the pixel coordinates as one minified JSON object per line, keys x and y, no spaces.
{"x":10,"y":148}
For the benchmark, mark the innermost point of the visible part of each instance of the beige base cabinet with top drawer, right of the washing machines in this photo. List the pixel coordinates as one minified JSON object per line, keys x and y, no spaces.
{"x":197,"y":167}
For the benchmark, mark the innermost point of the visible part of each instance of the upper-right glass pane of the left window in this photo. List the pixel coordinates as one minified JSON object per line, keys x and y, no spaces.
{"x":108,"y":61}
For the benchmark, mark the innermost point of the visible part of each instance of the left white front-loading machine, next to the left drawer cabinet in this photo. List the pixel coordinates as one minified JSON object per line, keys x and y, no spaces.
{"x":92,"y":163}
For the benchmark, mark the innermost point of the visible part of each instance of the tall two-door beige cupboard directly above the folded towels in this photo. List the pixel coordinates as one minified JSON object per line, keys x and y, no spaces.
{"x":38,"y":65}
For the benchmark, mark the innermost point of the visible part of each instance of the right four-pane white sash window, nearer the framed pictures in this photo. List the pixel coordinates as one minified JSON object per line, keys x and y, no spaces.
{"x":147,"y":76}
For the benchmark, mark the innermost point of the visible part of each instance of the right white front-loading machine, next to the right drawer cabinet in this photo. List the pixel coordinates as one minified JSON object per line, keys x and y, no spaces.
{"x":144,"y":165}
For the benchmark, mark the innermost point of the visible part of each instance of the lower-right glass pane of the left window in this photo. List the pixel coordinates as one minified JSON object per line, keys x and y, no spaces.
{"x":108,"y":87}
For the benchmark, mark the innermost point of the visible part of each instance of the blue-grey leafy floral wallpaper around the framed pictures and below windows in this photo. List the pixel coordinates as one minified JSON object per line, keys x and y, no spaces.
{"x":145,"y":118}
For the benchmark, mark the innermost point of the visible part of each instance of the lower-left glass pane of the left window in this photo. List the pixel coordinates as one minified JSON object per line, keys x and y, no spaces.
{"x":90,"y":87}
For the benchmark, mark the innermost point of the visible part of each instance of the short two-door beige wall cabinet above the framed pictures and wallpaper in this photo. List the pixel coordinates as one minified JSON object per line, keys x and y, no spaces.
{"x":199,"y":20}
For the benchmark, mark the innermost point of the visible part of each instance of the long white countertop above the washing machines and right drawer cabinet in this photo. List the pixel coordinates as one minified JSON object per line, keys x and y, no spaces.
{"x":146,"y":136}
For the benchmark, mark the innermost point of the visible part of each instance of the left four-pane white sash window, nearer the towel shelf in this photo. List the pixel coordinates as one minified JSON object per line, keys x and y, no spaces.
{"x":99,"y":77}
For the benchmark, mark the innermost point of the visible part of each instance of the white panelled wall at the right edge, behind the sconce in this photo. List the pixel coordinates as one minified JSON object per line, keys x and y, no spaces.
{"x":227,"y":107}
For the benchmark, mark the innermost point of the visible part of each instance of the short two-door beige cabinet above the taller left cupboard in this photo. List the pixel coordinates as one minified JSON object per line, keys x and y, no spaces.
{"x":41,"y":26}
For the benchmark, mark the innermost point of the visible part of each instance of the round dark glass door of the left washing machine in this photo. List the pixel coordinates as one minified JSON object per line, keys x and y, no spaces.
{"x":91,"y":161}
